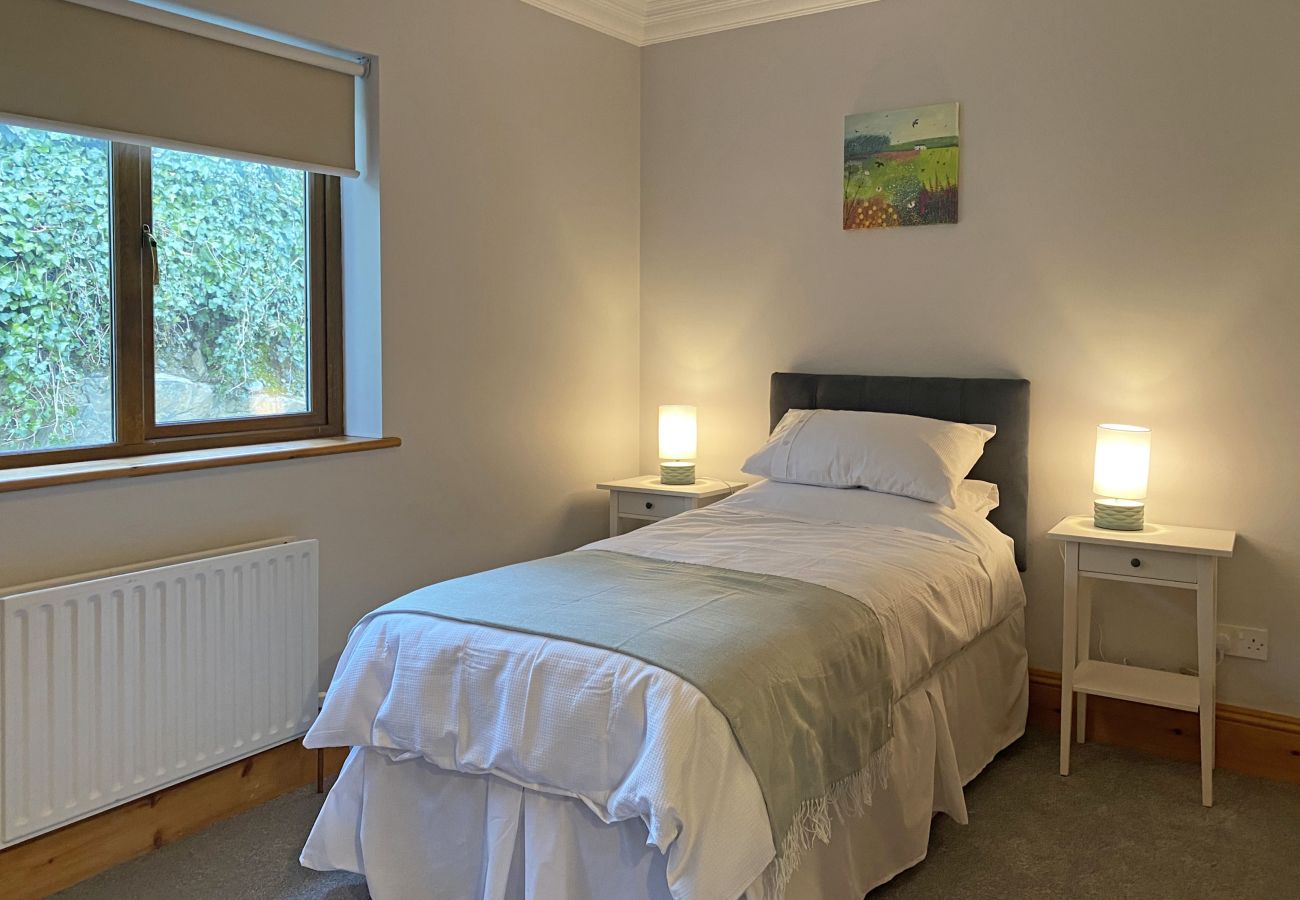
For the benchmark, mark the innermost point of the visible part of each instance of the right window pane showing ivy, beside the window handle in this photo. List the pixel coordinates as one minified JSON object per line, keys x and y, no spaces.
{"x":231,"y":311}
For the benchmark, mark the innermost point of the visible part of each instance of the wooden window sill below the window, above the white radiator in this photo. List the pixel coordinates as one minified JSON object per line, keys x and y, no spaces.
{"x":185,"y":461}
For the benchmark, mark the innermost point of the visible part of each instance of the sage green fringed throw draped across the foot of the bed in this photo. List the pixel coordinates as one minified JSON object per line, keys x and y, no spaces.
{"x":800,"y":672}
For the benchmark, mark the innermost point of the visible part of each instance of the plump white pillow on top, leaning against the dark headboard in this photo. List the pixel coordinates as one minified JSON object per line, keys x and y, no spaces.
{"x":895,"y":455}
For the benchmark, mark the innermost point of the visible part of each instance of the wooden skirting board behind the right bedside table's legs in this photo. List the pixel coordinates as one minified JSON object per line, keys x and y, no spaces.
{"x":1247,"y":741}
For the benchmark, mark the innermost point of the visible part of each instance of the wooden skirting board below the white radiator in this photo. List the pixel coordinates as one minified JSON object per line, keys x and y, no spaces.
{"x":81,"y":850}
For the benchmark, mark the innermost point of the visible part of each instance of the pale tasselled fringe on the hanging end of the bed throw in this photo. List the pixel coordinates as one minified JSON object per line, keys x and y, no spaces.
{"x":850,"y":798}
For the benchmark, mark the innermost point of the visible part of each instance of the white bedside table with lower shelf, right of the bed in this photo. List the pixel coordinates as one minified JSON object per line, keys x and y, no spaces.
{"x":1168,"y":556}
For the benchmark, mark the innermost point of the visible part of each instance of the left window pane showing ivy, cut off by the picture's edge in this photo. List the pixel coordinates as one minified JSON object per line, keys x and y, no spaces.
{"x":57,"y":323}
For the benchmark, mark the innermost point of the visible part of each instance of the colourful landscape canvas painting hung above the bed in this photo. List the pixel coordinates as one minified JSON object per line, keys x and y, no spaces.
{"x":900,"y":167}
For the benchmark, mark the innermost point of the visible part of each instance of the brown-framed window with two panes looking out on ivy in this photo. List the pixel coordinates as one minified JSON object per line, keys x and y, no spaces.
{"x":154,"y":300}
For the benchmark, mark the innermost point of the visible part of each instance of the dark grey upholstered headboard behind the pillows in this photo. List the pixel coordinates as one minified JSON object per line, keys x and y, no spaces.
{"x":1003,"y":403}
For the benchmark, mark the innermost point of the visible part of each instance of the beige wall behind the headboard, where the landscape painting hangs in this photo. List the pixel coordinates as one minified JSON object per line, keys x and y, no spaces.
{"x":1129,"y":241}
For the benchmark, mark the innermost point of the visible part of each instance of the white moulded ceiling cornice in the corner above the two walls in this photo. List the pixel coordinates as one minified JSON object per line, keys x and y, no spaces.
{"x":655,"y":21}
